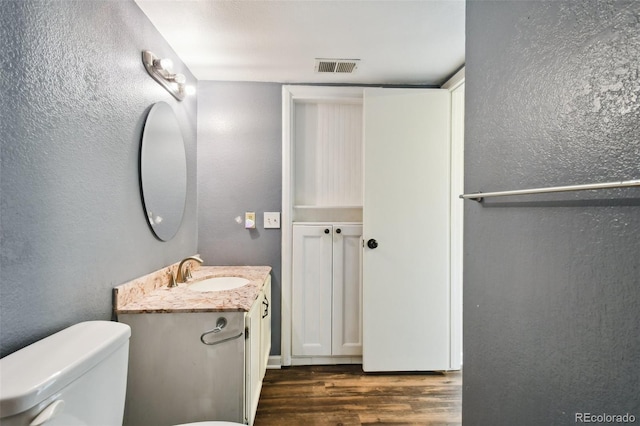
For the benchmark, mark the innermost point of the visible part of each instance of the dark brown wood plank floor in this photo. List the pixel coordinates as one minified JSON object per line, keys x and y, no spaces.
{"x":345,"y":395}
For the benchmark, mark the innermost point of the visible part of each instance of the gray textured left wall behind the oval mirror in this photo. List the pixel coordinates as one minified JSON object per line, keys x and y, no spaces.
{"x":74,"y":98}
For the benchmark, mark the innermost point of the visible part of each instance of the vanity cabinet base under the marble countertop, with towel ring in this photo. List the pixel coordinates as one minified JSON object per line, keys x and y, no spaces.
{"x":182,"y":370}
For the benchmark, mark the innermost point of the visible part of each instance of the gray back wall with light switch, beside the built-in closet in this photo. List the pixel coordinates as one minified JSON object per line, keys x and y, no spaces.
{"x":240,"y":170}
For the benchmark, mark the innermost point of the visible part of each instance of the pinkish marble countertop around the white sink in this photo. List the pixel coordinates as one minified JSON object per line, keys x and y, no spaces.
{"x":150,"y":294}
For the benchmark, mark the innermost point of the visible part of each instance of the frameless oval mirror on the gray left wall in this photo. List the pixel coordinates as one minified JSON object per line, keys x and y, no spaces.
{"x":163,"y":171}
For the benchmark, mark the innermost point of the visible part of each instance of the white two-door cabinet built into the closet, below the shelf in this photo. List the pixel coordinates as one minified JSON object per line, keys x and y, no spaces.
{"x":327,"y":290}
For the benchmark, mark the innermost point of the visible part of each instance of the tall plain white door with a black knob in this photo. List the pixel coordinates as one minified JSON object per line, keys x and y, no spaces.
{"x":406,"y":211}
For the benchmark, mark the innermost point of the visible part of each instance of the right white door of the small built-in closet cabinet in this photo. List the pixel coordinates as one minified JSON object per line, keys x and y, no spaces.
{"x":347,"y":290}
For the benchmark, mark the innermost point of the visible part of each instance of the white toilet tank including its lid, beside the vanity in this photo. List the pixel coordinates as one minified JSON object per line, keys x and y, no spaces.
{"x":77,"y":376}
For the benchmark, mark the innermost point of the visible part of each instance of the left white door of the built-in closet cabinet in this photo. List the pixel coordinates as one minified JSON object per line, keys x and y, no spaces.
{"x":311,"y":290}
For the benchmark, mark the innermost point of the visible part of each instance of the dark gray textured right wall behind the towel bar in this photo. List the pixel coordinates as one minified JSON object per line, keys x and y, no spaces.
{"x":552,"y":283}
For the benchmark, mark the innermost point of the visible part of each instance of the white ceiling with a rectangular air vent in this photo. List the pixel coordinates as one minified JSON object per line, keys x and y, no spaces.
{"x":407,"y":42}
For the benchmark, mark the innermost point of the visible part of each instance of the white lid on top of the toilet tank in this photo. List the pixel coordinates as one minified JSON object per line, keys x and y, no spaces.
{"x":34,"y":373}
